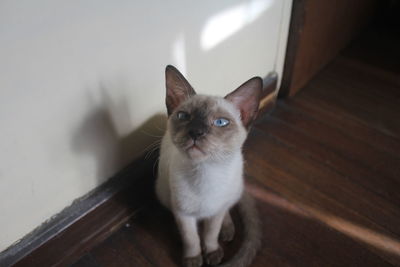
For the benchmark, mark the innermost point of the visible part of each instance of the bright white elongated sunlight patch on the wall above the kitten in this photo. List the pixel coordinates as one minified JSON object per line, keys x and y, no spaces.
{"x":223,"y":25}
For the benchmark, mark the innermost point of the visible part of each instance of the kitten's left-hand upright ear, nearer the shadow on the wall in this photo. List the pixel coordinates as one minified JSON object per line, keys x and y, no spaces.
{"x":178,"y":88}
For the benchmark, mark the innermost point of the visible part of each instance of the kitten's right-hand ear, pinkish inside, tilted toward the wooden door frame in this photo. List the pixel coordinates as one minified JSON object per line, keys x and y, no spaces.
{"x":247,"y":99}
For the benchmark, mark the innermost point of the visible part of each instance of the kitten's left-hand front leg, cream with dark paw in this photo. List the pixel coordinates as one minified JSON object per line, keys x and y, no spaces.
{"x":192,"y":251}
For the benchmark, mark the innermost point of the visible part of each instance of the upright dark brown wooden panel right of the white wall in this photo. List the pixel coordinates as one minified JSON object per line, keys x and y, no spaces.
{"x":319,"y":30}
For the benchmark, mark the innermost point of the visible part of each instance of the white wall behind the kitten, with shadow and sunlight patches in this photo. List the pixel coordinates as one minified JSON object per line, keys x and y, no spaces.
{"x":82,"y":86}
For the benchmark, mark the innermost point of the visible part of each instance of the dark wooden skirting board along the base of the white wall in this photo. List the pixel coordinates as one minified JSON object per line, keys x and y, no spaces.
{"x":89,"y":220}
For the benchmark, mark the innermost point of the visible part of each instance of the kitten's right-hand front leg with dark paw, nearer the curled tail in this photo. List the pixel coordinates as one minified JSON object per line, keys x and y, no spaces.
{"x":212,"y":227}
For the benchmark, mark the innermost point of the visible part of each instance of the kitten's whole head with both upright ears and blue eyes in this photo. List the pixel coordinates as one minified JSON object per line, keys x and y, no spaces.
{"x":209,"y":127}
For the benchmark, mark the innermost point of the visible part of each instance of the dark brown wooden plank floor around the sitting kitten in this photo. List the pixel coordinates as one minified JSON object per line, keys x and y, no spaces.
{"x":324,"y":167}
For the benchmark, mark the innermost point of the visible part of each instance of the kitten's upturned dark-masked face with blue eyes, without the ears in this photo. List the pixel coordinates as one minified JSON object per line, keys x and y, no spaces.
{"x":205,"y":127}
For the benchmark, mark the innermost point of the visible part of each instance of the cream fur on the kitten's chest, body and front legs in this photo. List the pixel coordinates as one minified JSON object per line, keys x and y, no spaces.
{"x":195,"y":190}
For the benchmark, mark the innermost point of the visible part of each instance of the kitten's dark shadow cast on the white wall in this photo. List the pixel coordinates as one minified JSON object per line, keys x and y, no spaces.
{"x":99,"y":140}
